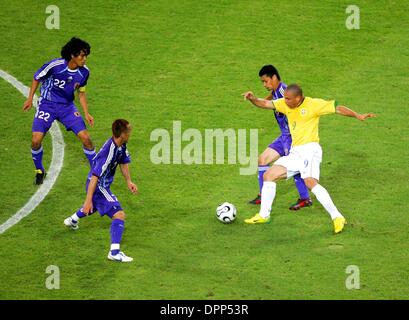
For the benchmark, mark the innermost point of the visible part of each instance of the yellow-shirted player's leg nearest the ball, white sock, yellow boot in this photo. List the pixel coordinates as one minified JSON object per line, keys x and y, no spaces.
{"x":275,"y":173}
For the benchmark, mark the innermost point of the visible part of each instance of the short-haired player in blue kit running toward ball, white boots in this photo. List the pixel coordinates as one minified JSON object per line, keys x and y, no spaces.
{"x":99,"y":196}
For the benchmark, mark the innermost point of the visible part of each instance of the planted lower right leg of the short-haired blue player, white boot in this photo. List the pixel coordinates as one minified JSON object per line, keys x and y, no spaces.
{"x":117,"y":229}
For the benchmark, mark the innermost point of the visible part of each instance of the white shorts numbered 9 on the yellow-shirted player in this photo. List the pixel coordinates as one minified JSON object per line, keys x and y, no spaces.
{"x":304,"y":159}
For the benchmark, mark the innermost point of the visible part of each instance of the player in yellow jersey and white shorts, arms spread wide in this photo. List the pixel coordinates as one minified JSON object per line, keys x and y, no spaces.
{"x":305,"y":156}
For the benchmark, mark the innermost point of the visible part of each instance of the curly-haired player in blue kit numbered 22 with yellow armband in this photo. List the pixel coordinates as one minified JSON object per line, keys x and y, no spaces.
{"x":59,"y":79}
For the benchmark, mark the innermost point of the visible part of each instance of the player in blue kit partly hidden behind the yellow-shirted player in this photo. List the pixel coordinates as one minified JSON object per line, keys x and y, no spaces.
{"x":281,"y":146}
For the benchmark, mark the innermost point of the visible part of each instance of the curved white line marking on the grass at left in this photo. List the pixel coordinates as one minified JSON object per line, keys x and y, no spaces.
{"x":53,"y":171}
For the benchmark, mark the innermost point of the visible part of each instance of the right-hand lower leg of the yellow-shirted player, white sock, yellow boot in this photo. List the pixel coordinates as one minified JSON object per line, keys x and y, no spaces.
{"x":325,"y":199}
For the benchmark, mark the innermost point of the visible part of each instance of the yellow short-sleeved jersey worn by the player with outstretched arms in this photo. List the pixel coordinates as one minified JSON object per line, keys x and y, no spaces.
{"x":303,"y":120}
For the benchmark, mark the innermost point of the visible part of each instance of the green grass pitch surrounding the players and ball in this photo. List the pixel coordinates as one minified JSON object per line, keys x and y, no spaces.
{"x":154,"y":62}
